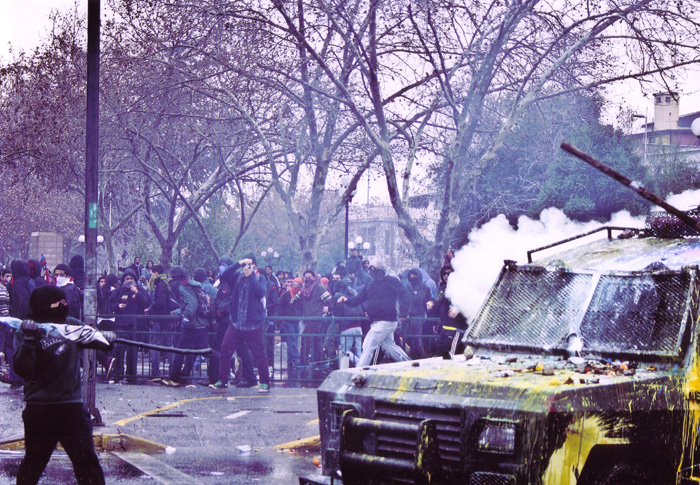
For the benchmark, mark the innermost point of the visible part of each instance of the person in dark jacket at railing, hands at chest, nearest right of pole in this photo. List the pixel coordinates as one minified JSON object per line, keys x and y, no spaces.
{"x":129,"y":303}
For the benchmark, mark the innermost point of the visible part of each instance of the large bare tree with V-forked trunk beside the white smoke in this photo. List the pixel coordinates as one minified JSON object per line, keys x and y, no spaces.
{"x":453,"y":61}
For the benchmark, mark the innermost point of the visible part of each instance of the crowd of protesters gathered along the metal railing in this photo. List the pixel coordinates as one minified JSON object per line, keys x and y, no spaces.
{"x":239,"y":310}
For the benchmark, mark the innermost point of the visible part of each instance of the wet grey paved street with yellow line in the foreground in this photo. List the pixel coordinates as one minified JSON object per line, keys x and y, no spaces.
{"x":202,"y":428}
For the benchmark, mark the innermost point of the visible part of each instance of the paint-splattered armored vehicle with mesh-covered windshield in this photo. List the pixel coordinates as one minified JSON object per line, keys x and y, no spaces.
{"x":581,"y":368}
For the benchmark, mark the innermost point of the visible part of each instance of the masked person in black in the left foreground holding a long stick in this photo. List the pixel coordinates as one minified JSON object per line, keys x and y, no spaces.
{"x":54,"y":411}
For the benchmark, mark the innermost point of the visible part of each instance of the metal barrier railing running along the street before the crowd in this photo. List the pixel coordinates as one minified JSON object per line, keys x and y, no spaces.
{"x":329,"y":342}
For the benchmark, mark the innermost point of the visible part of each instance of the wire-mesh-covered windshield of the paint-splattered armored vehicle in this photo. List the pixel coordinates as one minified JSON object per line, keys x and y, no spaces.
{"x":640,"y":313}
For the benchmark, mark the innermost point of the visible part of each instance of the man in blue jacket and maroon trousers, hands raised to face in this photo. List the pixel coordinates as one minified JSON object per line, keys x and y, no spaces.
{"x":247,"y":316}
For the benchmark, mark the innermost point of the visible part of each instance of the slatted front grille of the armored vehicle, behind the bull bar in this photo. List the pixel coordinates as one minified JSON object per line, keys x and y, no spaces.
{"x":449,"y":428}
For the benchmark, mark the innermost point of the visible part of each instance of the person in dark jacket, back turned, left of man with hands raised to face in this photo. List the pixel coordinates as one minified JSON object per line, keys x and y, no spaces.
{"x":193,"y":324}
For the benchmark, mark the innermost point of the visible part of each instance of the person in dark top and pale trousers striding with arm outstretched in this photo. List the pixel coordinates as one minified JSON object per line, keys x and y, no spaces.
{"x":379,"y":298}
